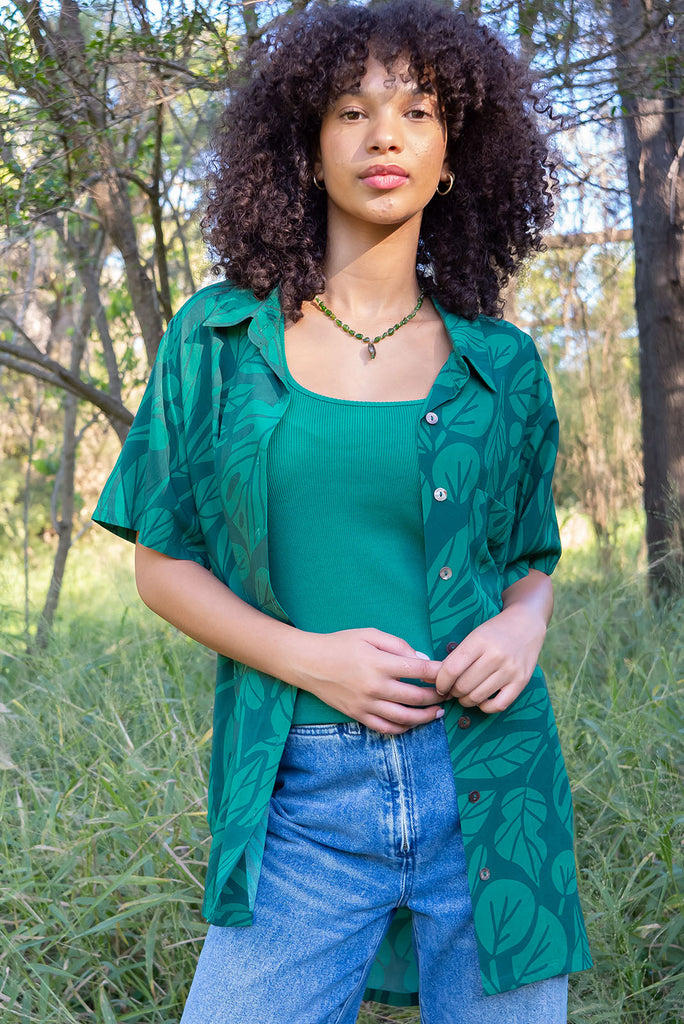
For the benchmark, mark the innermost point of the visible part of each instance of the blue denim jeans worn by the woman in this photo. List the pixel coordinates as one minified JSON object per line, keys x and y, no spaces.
{"x":360,"y":824}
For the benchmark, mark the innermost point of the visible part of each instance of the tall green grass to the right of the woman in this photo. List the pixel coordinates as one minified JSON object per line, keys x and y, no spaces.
{"x":617,"y":667}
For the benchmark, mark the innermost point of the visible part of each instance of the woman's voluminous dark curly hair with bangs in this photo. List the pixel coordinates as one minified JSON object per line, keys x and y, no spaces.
{"x":266,"y":221}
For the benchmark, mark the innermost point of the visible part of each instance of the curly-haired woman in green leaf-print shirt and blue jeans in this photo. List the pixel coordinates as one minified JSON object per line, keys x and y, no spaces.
{"x":340,"y":481}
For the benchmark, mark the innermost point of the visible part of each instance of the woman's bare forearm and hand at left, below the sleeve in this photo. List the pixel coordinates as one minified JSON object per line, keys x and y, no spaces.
{"x":357,"y":671}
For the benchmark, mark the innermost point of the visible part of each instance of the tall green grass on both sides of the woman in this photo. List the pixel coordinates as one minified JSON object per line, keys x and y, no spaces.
{"x":104,"y":755}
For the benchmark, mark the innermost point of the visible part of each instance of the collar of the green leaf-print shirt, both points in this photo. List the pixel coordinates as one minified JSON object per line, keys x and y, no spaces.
{"x":237,"y":306}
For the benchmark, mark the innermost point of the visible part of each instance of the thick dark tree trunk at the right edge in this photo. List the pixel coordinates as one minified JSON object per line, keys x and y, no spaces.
{"x":654,"y":127}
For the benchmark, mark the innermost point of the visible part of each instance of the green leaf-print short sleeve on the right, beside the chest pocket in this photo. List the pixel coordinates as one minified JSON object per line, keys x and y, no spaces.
{"x":535,"y":542}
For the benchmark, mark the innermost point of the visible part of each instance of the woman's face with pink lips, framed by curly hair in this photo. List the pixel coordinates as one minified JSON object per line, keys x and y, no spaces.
{"x":382,"y":149}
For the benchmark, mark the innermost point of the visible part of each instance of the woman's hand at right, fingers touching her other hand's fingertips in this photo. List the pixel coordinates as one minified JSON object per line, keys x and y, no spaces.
{"x":492,"y":667}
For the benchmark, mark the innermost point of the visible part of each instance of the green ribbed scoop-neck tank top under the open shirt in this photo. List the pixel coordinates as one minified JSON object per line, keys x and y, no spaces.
{"x":346,"y":523}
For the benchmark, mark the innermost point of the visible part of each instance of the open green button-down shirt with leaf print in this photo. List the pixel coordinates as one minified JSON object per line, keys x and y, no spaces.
{"x":192,"y":482}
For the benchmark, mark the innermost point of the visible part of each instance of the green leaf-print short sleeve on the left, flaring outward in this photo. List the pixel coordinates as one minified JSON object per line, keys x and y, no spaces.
{"x":151,"y":491}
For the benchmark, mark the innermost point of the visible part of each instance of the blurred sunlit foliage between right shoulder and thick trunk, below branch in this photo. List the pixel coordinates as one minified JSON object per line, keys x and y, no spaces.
{"x":580,"y":305}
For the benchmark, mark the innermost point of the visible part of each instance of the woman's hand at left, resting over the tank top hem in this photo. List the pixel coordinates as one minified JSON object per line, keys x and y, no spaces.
{"x":360,"y":671}
